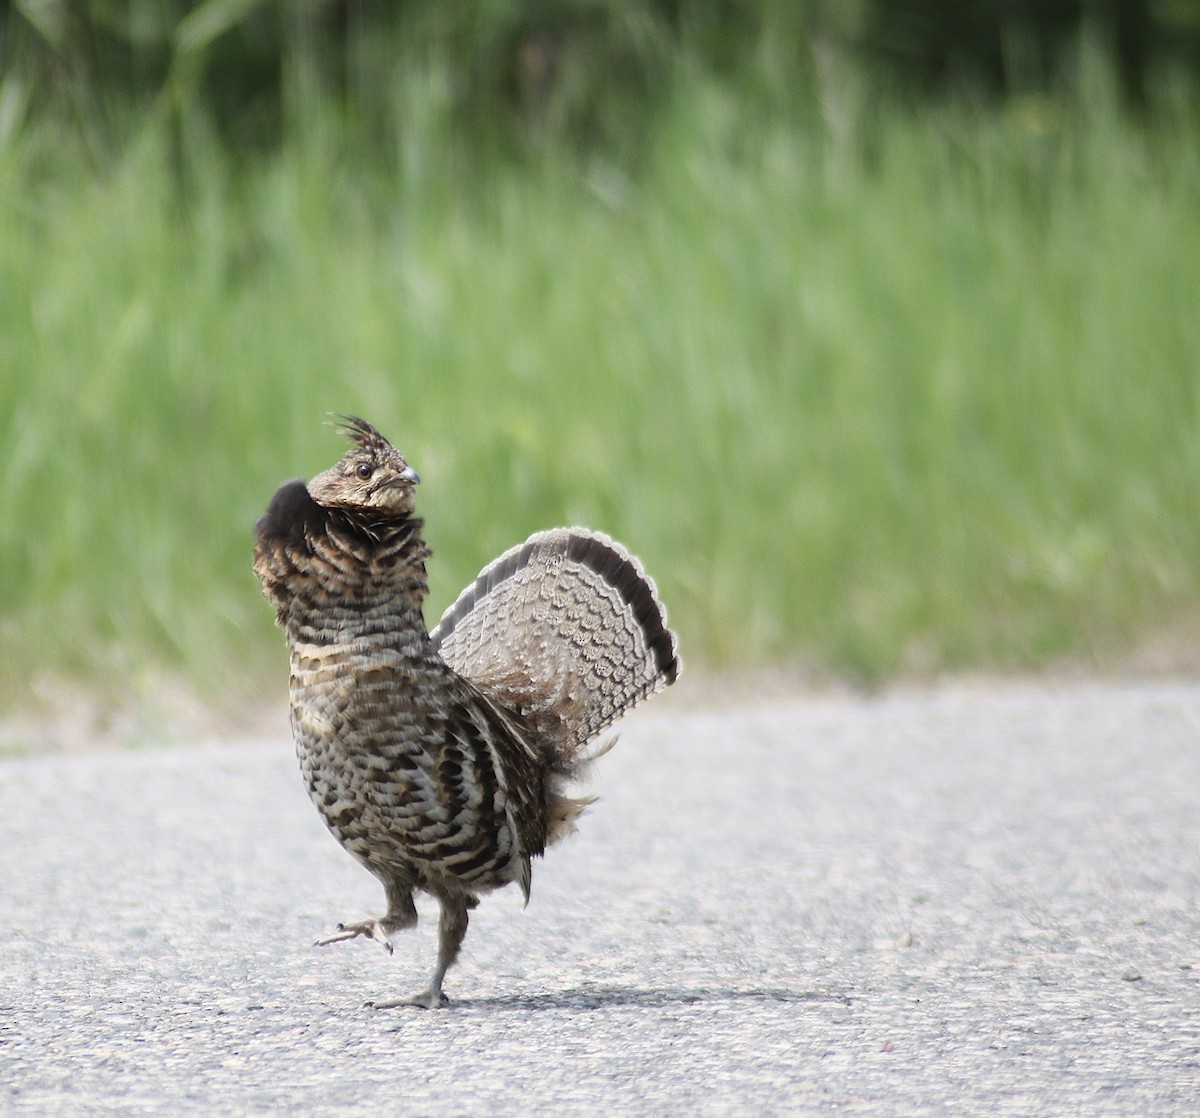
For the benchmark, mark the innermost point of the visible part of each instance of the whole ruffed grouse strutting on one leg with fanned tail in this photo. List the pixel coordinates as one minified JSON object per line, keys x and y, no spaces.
{"x":442,"y":761}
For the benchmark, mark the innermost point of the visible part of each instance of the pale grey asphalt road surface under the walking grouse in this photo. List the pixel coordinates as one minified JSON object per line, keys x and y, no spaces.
{"x":959,"y":901}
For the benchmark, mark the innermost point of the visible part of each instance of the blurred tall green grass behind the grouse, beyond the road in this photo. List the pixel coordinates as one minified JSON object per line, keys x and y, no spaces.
{"x":878,"y":377}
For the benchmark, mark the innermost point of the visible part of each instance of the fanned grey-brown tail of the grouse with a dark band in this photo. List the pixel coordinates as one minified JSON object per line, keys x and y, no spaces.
{"x":568,"y":630}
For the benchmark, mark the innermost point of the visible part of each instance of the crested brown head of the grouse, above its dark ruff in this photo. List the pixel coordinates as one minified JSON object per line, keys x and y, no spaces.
{"x":373,"y":479}
